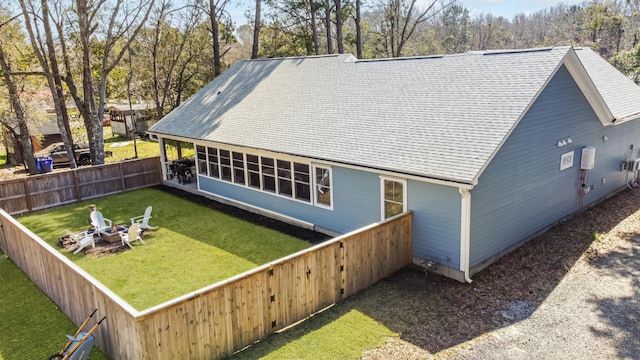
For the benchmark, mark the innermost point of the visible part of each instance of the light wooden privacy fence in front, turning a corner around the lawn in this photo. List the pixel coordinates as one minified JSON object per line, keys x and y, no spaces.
{"x":225,"y":317}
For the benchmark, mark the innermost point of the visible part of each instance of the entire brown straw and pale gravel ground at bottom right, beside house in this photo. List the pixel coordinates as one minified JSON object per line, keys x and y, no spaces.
{"x":571,"y":293}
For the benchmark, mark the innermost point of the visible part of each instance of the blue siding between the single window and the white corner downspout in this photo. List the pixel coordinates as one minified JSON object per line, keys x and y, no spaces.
{"x":436,"y":222}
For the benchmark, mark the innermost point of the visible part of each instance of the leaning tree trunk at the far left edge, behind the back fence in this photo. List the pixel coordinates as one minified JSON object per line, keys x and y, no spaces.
{"x":25,"y":137}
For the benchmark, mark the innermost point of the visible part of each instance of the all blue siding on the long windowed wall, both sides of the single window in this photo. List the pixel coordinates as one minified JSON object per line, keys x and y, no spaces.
{"x":356,"y":196}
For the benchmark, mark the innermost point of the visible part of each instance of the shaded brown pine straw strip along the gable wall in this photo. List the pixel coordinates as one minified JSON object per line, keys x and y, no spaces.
{"x":435,"y":314}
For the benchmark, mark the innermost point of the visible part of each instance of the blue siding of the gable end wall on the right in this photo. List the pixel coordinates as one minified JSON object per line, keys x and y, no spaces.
{"x":523,"y":191}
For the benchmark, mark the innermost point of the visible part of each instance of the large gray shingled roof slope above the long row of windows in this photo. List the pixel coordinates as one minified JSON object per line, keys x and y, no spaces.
{"x":440,"y":117}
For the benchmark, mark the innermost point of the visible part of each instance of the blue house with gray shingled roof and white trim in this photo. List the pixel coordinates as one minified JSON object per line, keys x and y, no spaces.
{"x":486,"y":148}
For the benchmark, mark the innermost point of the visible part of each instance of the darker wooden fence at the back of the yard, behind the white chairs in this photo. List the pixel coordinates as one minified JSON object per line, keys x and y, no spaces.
{"x":39,"y":192}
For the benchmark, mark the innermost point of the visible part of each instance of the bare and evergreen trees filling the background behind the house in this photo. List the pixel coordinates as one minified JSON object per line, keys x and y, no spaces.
{"x":74,"y":56}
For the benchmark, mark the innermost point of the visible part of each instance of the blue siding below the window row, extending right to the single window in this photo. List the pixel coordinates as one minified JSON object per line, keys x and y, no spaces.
{"x":356,"y":200}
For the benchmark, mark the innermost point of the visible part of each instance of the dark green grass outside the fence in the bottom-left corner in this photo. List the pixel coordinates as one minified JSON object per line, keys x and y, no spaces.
{"x":31,"y":326}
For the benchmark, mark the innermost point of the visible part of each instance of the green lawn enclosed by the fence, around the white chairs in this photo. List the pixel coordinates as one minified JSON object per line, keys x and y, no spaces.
{"x":194,"y":245}
